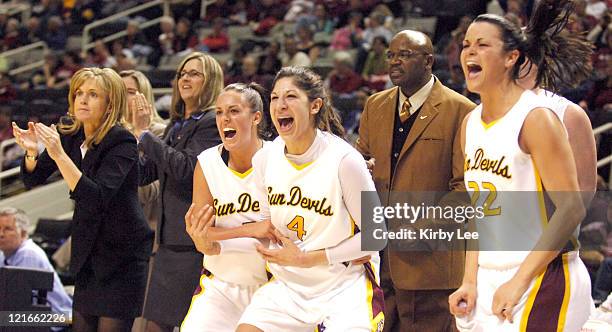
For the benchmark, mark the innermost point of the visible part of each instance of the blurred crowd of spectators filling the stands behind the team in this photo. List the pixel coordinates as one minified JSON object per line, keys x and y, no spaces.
{"x":353,"y":34}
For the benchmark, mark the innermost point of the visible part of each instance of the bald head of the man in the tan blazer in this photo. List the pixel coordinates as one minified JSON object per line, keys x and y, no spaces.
{"x":410,"y":58}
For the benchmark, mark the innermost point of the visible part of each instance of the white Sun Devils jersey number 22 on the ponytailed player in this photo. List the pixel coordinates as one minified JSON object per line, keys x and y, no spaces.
{"x":495,"y":166}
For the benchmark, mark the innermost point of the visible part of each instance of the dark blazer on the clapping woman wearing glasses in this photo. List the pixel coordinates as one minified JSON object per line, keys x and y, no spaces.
{"x":173,"y":164}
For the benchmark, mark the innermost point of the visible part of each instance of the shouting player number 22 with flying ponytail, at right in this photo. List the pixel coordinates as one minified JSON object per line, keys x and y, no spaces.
{"x":514,"y":130}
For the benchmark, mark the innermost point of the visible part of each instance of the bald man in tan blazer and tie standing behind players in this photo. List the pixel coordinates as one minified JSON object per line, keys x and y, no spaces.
{"x":409,"y":135}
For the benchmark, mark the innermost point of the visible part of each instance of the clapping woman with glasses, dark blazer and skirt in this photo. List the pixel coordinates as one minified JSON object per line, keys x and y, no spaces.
{"x":176,"y":268}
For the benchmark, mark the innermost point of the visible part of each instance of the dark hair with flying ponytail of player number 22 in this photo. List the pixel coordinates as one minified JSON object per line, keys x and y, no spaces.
{"x":562,"y":60}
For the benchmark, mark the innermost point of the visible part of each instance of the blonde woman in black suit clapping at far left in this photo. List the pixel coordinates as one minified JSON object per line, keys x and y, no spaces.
{"x":97,"y":157}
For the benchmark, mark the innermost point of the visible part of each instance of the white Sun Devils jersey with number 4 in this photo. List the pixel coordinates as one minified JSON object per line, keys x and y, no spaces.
{"x":306,"y":206}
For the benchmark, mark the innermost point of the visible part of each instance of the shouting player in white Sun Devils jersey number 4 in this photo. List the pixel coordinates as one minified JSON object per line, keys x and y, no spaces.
{"x":313,"y":179}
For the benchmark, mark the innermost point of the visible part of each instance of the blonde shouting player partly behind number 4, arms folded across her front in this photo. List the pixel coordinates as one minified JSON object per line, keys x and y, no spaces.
{"x":224,"y":184}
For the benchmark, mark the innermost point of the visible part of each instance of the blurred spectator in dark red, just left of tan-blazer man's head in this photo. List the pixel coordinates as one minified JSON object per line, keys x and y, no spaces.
{"x":343,"y":79}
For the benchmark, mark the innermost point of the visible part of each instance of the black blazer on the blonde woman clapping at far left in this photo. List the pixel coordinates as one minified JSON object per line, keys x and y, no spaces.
{"x":109,"y":231}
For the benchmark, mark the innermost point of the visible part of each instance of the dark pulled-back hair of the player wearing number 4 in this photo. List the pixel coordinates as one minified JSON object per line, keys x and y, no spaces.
{"x":326,"y":119}
